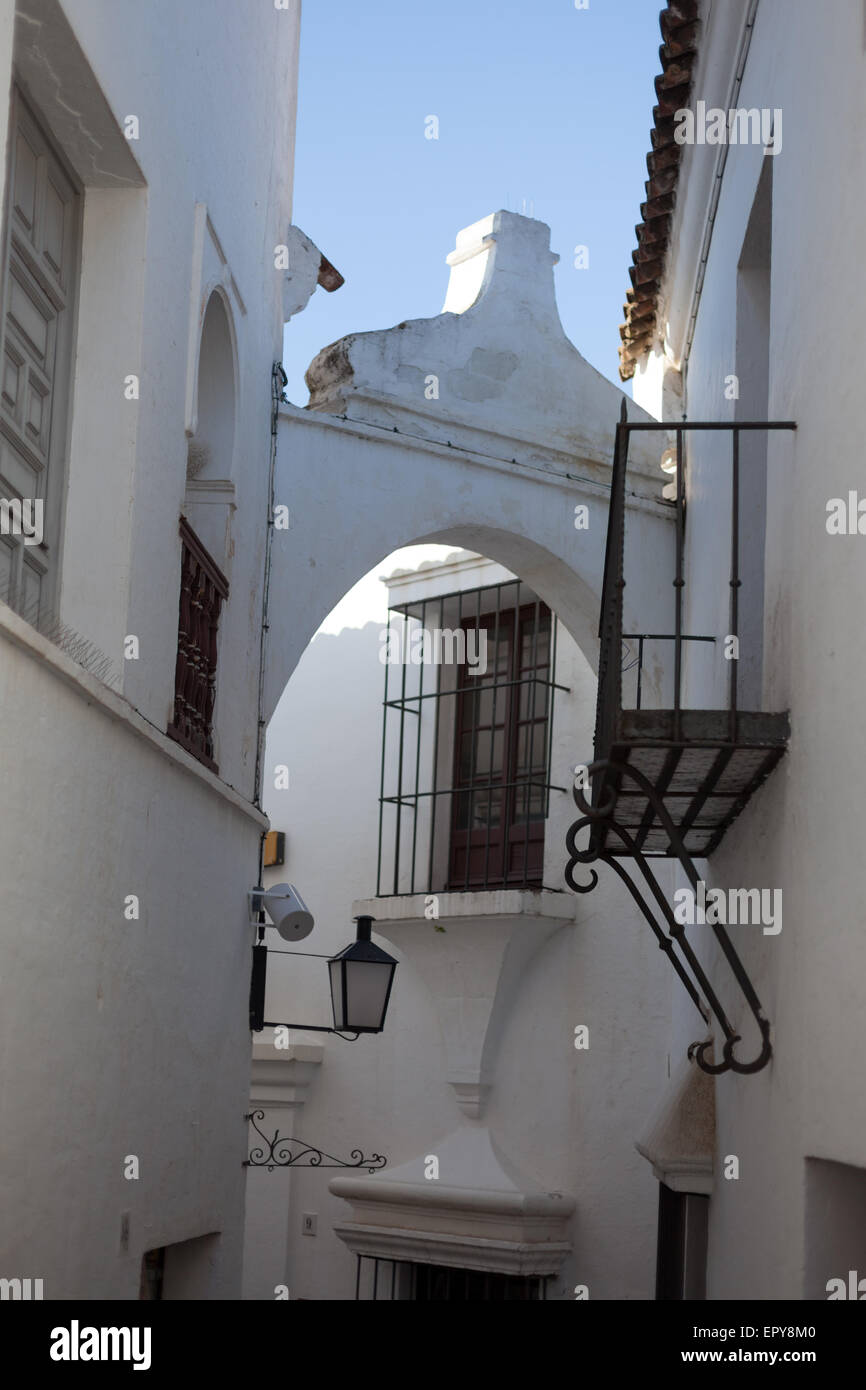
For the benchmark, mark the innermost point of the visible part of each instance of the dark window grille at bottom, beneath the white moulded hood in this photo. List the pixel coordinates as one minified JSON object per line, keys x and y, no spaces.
{"x":397,"y":1281}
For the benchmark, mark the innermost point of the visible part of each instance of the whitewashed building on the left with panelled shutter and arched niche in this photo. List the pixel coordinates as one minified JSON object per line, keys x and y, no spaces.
{"x":148,"y":169}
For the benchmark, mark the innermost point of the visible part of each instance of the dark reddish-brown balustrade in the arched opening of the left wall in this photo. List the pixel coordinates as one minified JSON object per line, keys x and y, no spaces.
{"x":204,"y":591}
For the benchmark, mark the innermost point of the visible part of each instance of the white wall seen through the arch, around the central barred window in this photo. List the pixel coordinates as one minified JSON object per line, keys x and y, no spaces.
{"x":564,"y":1120}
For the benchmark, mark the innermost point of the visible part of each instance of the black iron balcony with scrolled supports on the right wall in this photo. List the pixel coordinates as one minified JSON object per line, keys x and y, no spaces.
{"x":669,"y":782}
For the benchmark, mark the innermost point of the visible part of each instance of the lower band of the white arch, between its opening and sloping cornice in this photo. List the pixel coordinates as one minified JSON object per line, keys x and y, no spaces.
{"x":405,"y":491}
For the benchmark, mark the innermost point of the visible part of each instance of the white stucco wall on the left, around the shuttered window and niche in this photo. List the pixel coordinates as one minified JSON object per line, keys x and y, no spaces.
{"x":130,"y":1038}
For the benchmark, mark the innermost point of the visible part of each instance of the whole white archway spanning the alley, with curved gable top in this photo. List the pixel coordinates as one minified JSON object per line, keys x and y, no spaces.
{"x":480,"y":427}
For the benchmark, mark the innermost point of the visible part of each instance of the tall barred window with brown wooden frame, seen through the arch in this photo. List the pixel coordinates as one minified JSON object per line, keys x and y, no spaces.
{"x":466,"y":742}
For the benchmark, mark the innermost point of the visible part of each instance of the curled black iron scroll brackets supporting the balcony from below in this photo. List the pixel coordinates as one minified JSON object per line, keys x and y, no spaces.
{"x":600,"y":817}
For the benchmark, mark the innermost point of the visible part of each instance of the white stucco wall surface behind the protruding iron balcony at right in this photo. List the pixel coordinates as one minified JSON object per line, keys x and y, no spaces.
{"x":803,"y":833}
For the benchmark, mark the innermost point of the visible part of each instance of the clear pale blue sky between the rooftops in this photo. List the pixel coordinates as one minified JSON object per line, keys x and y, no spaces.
{"x":537,"y":101}
